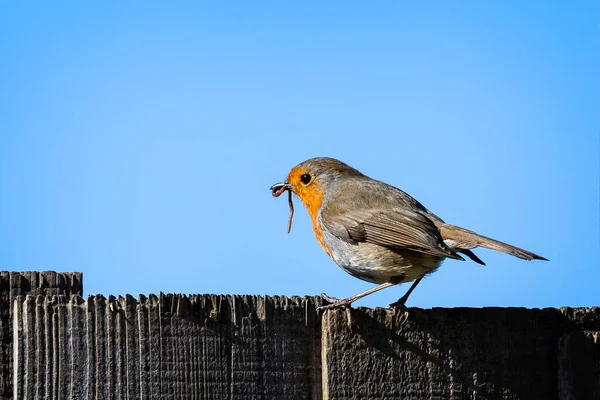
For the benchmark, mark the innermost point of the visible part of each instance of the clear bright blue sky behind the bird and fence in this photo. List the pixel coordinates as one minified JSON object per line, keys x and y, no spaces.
{"x":139,"y":140}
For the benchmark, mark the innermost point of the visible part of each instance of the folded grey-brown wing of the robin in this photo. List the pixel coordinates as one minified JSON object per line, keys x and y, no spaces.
{"x":398,"y":228}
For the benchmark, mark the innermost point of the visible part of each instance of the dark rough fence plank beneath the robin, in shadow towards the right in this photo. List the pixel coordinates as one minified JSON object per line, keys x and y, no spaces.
{"x":446,"y":353}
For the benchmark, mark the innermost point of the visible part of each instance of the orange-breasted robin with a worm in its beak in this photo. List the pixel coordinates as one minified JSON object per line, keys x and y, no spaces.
{"x":375,"y":231}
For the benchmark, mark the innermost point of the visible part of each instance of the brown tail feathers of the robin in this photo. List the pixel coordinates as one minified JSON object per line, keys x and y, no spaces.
{"x":462,"y":240}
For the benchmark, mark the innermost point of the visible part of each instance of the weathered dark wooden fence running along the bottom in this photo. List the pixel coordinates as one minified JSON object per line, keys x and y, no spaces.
{"x":56,"y":345}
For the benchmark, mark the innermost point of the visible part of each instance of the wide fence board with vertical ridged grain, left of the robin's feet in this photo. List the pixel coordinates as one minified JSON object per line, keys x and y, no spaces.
{"x":166,"y":347}
